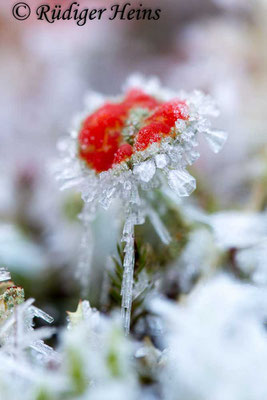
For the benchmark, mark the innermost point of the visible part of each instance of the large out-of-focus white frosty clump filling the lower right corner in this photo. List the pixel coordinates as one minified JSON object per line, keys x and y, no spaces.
{"x":215,"y":343}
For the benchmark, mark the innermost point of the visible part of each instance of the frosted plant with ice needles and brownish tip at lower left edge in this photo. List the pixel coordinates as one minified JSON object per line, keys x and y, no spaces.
{"x":23,"y":353}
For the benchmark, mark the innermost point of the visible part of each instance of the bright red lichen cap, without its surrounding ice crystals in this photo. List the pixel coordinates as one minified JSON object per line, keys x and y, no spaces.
{"x":101,"y":141}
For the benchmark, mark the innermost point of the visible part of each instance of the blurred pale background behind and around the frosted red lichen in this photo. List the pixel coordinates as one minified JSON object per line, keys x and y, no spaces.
{"x":218,"y":46}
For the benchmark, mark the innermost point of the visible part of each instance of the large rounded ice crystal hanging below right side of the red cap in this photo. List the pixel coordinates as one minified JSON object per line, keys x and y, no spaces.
{"x":181,"y":182}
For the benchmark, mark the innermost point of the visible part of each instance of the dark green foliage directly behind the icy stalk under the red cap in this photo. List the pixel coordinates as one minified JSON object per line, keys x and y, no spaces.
{"x":152,"y":257}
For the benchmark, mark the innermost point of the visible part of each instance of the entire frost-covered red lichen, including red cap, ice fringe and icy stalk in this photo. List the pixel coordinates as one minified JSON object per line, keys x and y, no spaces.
{"x":125,"y":146}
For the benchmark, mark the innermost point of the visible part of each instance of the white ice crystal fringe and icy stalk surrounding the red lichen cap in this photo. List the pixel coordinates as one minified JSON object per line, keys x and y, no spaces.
{"x":146,"y":171}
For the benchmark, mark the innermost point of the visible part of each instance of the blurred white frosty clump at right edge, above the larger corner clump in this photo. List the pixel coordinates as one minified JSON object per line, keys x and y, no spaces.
{"x":242,"y":234}
